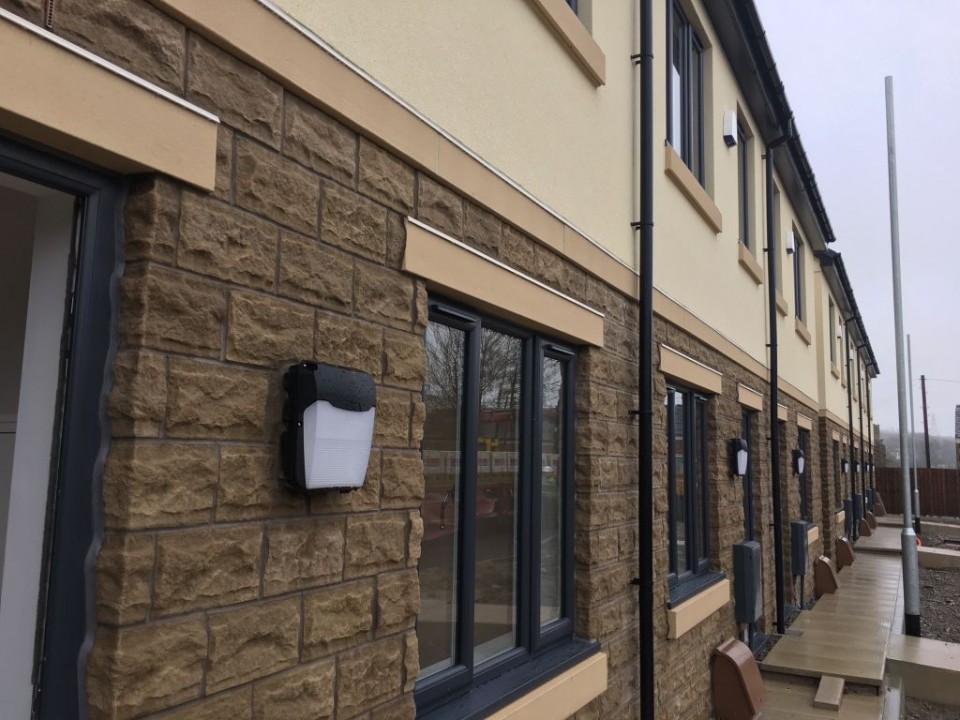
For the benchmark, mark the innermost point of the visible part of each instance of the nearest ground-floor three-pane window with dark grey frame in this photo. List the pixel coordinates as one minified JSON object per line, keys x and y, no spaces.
{"x":496,"y":565}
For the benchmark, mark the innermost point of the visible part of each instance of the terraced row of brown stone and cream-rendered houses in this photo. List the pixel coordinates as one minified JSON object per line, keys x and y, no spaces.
{"x":456,"y":202}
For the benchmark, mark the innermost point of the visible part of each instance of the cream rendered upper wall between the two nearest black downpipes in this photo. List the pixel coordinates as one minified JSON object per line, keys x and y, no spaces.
{"x":695,"y":266}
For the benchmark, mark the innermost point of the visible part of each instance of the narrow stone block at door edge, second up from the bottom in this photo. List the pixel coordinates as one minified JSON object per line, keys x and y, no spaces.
{"x":124,"y":570}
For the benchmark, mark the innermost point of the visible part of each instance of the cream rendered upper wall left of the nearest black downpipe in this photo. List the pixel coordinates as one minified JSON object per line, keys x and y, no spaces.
{"x":493,"y":75}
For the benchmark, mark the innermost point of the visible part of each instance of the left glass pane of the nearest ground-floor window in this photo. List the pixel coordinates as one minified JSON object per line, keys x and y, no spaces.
{"x":443,"y":400}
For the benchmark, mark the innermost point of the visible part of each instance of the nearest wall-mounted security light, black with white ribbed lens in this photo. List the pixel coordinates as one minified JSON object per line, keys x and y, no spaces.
{"x":328,"y":416}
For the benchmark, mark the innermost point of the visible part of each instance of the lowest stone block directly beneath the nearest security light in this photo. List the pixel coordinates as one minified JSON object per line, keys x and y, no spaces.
{"x":306,"y":693}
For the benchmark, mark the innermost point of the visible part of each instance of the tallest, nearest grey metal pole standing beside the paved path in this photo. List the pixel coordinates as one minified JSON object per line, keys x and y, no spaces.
{"x":908,"y":539}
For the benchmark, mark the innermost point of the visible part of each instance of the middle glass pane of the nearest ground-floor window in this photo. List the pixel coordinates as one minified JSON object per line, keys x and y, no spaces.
{"x":499,"y":437}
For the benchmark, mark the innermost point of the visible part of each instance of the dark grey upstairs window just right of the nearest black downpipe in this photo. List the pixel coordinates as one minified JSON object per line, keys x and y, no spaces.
{"x":685,"y":90}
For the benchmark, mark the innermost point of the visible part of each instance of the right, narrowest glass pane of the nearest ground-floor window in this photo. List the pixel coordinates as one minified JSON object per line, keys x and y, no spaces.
{"x":551,"y":492}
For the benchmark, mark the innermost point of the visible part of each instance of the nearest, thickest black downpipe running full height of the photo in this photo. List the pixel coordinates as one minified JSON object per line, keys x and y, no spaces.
{"x":645,"y":380}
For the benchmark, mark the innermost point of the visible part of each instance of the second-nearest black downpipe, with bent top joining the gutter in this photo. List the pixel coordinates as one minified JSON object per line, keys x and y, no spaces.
{"x":772,"y":256}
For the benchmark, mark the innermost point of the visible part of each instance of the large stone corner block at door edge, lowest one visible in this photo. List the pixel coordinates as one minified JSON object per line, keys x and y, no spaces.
{"x":135,"y":671}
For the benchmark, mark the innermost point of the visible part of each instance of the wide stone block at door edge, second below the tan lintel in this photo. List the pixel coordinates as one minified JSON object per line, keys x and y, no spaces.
{"x":168,"y":310}
